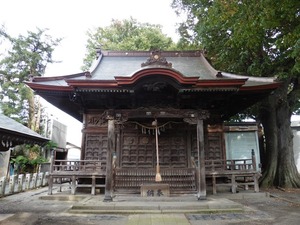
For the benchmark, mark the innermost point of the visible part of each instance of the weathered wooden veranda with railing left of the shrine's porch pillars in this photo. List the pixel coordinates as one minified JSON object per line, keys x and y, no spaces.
{"x":73,"y":170}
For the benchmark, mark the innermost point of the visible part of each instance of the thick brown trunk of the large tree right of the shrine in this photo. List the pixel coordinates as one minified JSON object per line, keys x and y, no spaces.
{"x":280,"y":169}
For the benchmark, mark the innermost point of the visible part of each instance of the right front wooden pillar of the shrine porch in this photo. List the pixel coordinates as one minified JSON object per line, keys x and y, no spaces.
{"x":201,"y":161}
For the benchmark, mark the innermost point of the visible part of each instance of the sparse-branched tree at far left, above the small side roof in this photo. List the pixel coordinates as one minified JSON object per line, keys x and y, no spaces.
{"x":27,"y":56}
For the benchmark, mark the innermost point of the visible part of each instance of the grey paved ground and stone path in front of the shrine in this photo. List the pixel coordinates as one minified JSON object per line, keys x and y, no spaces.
{"x":35,"y":207}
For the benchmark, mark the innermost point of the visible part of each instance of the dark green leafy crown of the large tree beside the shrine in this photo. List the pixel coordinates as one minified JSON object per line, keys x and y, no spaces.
{"x":259,"y":38}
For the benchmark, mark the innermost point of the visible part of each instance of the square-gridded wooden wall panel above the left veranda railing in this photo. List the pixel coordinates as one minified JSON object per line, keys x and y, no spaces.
{"x":95,"y":146}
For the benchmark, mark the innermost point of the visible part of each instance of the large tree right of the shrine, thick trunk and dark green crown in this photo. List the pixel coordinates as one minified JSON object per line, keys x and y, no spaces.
{"x":258,"y":38}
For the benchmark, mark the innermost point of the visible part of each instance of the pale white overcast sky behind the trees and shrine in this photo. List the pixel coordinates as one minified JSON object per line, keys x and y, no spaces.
{"x":70,"y":20}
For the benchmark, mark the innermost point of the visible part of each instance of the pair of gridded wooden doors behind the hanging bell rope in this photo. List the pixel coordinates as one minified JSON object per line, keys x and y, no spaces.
{"x":138,"y":150}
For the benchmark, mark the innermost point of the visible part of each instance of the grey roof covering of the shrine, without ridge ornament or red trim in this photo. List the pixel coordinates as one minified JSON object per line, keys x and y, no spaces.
{"x":111,"y":64}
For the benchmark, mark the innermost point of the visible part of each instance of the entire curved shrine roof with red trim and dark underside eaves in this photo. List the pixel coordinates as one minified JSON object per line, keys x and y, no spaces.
{"x":117,"y":77}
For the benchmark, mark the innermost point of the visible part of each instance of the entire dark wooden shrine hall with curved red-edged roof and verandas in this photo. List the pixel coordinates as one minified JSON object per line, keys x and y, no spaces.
{"x":148,"y":118}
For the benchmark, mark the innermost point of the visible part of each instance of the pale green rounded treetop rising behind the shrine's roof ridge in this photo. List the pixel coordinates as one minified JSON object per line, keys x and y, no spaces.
{"x":127,"y":34}
